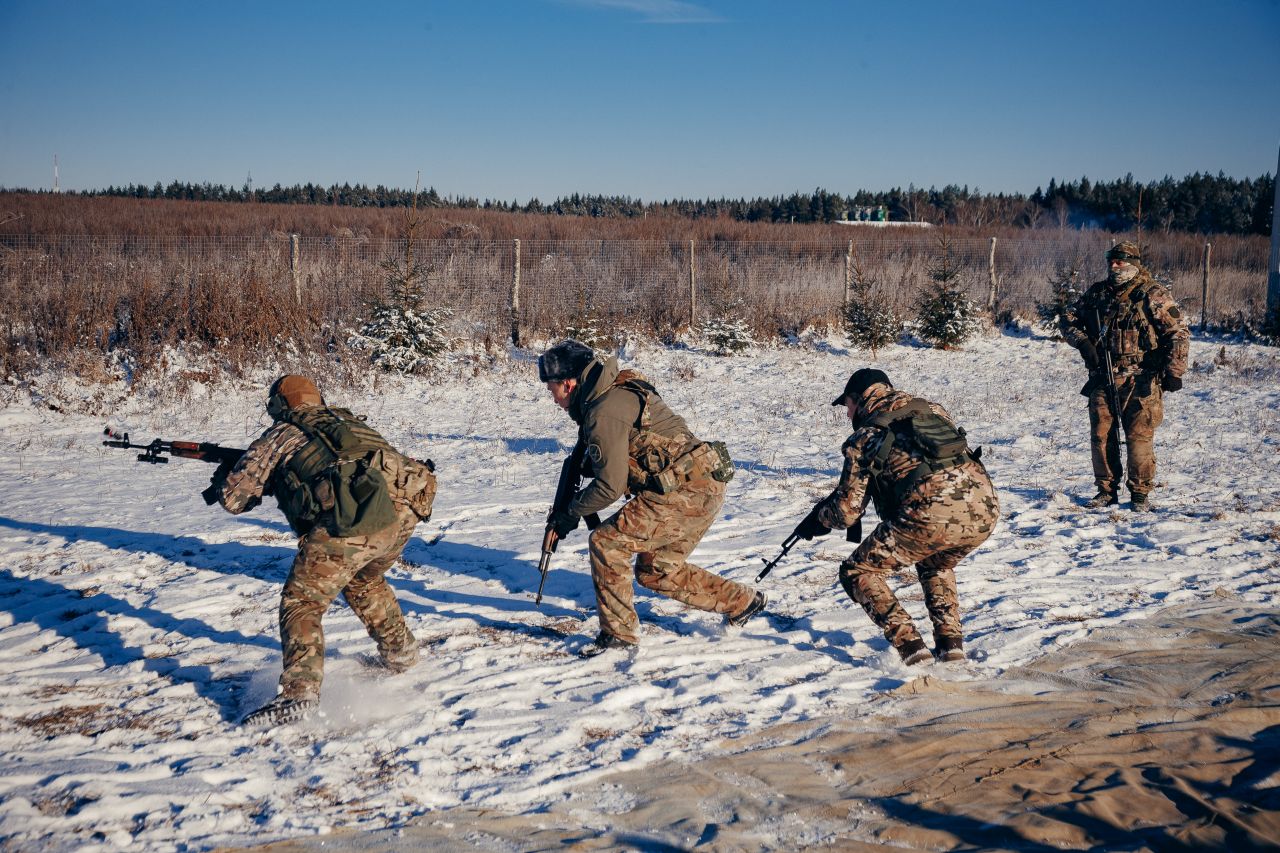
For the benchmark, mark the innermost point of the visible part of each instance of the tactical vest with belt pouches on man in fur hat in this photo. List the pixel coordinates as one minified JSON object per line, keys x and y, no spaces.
{"x":662,"y":464}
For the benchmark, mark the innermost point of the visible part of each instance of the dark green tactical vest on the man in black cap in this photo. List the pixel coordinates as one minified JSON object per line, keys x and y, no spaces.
{"x":912,"y":427}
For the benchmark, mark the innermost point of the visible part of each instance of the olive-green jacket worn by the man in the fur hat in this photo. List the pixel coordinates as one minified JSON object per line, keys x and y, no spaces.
{"x":627,"y":431}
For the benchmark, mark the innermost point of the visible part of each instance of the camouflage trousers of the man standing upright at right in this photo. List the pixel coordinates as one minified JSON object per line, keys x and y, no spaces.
{"x":1142,"y":409}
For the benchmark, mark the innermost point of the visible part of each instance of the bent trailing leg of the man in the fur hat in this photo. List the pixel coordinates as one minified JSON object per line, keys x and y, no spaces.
{"x":683,"y":521}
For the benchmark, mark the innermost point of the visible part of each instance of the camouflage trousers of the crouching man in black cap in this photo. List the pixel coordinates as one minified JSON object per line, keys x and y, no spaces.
{"x":940,"y":523}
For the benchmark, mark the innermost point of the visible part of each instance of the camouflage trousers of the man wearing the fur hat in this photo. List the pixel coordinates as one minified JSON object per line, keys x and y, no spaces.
{"x":660,"y":532}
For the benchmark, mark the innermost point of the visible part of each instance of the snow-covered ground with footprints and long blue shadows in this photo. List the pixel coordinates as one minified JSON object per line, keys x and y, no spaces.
{"x":138,"y":626}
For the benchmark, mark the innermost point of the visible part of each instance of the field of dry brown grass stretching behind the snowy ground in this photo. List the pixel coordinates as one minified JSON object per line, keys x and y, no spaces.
{"x":99,"y":288}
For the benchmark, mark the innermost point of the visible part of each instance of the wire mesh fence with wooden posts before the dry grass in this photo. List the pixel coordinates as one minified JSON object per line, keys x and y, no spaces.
{"x":62,"y":293}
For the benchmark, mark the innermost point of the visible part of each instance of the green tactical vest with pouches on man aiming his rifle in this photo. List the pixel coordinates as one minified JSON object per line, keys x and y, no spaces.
{"x":336,"y":480}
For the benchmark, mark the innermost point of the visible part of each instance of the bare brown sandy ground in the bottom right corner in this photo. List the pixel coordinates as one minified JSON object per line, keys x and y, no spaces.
{"x":1164,"y":736}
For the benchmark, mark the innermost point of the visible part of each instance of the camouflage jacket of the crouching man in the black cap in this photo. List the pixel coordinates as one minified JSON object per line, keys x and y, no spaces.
{"x":858,"y":486}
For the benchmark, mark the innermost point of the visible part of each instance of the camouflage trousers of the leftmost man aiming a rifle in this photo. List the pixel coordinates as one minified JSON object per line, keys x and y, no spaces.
{"x":355,"y":567}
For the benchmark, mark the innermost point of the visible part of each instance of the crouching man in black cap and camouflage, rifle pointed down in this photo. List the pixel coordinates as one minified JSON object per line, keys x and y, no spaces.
{"x":935,"y":510}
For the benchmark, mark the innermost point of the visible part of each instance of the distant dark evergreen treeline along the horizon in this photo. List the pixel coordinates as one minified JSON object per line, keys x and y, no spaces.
{"x":1199,"y":204}
